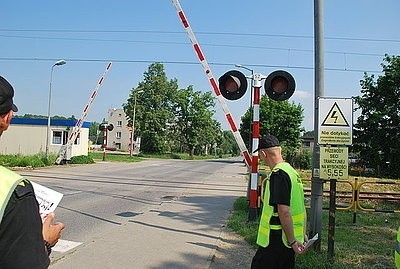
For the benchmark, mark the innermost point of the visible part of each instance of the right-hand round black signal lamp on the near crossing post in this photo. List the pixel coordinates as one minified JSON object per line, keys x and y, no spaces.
{"x":279,"y":85}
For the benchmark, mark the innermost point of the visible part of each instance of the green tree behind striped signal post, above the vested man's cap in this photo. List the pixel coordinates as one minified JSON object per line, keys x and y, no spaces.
{"x":279,"y":118}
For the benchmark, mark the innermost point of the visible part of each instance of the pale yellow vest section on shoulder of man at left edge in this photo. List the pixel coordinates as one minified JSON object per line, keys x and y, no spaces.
{"x":8,"y":181}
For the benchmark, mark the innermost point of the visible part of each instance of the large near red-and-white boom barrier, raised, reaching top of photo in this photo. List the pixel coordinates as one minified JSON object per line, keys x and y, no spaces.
{"x":207,"y":70}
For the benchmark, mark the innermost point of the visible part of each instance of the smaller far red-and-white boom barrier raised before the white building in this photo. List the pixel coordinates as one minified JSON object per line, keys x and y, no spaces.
{"x":66,"y":150}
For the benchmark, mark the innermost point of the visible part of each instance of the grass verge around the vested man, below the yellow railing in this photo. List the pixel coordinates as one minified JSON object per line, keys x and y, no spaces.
{"x":368,"y":243}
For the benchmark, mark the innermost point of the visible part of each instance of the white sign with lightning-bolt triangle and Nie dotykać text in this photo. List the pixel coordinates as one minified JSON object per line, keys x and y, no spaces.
{"x":335,"y":121}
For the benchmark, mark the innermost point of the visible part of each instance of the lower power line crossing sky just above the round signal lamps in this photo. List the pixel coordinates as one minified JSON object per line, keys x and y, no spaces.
{"x":187,"y":63}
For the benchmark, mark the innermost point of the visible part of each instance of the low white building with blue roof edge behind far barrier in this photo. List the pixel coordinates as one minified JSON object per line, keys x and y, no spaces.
{"x":27,"y":136}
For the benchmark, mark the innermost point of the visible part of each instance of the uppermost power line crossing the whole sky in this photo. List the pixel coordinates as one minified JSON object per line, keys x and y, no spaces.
{"x":200,"y":32}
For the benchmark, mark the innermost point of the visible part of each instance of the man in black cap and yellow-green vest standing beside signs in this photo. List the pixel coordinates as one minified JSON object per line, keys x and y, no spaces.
{"x":281,"y":231}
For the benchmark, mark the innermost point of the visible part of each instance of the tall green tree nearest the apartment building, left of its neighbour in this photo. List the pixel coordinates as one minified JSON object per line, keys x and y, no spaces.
{"x":154,"y":108}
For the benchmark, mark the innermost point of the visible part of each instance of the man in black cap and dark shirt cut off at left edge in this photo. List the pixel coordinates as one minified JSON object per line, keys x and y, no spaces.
{"x":25,"y":242}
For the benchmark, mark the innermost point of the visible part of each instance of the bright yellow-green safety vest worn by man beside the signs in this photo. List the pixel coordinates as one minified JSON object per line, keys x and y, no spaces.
{"x":297,"y":209}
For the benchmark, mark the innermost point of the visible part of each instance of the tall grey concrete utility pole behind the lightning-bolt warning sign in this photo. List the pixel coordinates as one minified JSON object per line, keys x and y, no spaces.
{"x":316,"y":181}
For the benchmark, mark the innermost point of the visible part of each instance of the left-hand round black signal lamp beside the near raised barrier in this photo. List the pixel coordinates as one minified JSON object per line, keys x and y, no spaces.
{"x":233,"y":85}
